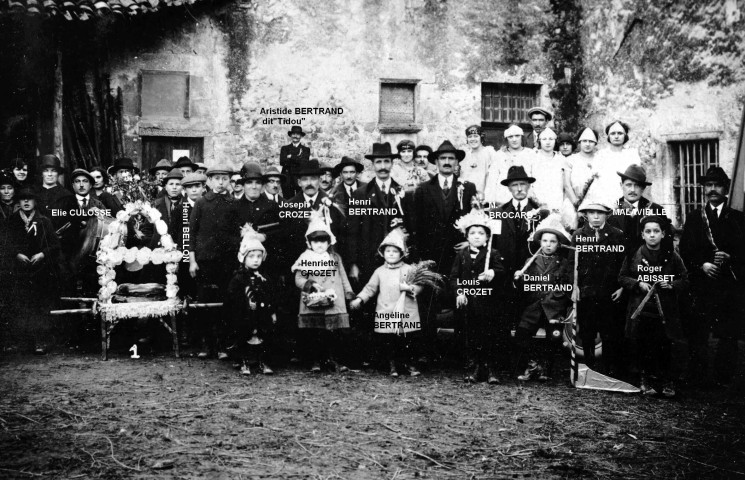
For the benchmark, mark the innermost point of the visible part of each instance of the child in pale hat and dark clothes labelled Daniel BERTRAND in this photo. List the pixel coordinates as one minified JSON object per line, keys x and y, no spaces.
{"x":543,"y":286}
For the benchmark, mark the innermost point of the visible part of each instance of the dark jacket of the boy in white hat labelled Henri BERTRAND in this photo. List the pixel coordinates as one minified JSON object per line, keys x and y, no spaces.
{"x":597,"y":272}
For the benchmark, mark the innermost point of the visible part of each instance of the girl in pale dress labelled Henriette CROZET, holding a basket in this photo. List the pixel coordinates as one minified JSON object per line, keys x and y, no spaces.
{"x":320,"y":275}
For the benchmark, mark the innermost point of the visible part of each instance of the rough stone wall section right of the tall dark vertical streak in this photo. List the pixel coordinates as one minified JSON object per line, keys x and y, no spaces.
{"x":668,"y":69}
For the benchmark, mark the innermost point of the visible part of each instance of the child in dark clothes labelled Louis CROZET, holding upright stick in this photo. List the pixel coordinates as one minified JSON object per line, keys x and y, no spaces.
{"x":476,"y":287}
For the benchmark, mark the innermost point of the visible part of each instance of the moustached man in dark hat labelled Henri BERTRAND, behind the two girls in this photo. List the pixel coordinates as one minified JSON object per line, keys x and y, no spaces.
{"x":374,"y":211}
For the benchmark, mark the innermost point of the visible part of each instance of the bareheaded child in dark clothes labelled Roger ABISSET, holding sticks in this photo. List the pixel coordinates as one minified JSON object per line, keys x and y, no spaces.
{"x":652,"y":328}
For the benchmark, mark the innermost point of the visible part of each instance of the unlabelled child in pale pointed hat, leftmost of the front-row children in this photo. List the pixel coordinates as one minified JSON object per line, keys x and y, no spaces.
{"x":249,"y":301}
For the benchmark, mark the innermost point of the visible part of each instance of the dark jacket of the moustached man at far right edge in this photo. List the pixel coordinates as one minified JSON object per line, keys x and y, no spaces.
{"x":728,"y":232}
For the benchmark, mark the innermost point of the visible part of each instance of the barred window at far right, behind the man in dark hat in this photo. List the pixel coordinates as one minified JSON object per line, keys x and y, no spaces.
{"x":692,"y":159}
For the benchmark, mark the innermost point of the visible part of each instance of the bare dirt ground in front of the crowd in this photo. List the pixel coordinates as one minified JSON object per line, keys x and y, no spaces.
{"x":75,"y":416}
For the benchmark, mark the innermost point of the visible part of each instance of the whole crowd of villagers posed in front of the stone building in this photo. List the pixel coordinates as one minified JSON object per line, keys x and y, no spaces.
{"x":509,"y":240}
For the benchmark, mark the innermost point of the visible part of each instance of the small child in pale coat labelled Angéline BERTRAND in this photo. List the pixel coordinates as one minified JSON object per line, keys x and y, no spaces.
{"x":396,"y":326}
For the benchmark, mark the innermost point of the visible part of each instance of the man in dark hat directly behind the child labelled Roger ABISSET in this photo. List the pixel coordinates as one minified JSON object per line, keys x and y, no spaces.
{"x":633,"y":206}
